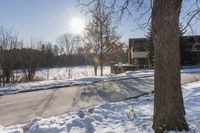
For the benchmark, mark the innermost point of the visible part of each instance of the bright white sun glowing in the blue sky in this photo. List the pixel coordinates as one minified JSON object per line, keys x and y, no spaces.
{"x":77,"y":25}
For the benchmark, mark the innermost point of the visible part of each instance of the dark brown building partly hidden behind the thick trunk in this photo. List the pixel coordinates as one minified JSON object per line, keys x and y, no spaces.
{"x":140,"y":53}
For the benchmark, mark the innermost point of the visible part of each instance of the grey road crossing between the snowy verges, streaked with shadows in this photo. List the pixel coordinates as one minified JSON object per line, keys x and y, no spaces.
{"x":22,"y":107}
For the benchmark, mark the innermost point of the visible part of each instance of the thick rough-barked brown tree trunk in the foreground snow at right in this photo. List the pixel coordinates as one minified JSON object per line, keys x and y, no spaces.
{"x":169,"y":113}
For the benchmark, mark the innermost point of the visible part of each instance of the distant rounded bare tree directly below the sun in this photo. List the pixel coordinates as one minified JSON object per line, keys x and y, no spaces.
{"x":68,"y":44}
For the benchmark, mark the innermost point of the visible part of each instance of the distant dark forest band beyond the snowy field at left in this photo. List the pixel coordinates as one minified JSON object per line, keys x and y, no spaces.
{"x":20,"y":58}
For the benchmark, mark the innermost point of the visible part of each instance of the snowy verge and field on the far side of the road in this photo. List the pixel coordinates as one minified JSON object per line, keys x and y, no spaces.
{"x":81,"y":75}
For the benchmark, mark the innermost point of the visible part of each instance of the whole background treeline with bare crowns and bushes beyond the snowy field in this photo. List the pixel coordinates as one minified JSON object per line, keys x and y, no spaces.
{"x":27,"y":57}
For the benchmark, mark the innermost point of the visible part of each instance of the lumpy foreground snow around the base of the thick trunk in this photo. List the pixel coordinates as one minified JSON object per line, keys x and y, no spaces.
{"x":132,"y":116}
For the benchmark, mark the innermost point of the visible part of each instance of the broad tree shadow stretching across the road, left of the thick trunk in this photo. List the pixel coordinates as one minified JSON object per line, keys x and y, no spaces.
{"x":112,"y":91}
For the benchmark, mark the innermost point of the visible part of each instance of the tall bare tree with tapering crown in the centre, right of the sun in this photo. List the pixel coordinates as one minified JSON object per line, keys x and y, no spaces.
{"x":101,"y":32}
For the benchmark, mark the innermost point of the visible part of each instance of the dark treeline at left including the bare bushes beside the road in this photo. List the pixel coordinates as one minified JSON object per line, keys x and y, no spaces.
{"x":28,"y":60}
